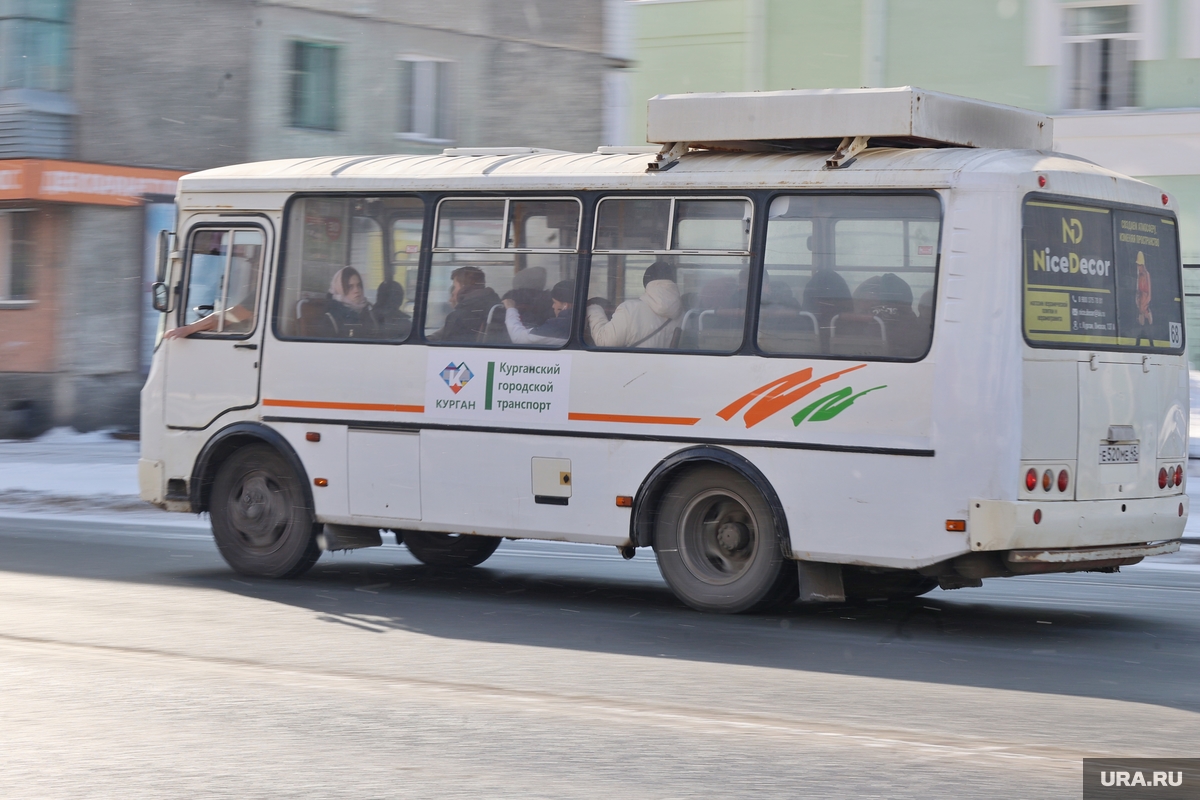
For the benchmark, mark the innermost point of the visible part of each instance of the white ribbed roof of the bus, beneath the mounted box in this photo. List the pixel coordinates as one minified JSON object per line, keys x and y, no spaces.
{"x":559,"y":172}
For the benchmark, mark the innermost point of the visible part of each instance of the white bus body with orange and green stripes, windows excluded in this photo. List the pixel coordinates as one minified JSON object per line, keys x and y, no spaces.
{"x":920,"y":480}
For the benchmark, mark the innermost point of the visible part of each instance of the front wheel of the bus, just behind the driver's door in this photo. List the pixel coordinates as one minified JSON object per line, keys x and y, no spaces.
{"x":261,"y":520}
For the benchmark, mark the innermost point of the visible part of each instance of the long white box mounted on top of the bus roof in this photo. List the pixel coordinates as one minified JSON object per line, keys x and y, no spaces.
{"x":821,"y":118}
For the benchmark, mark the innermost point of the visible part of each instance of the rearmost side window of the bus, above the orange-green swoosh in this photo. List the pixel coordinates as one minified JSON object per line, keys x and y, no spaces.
{"x":850,"y":276}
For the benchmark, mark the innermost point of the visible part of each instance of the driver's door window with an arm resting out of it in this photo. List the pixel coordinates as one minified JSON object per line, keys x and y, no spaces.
{"x":224,"y":273}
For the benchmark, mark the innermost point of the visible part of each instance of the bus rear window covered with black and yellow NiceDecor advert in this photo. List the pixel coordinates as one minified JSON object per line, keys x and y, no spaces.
{"x":1101,"y":278}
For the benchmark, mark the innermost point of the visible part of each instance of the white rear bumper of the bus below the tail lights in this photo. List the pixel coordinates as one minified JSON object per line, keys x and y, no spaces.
{"x":1009,"y":525}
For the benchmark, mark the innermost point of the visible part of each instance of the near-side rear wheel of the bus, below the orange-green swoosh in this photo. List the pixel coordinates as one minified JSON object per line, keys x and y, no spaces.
{"x":717,"y":545}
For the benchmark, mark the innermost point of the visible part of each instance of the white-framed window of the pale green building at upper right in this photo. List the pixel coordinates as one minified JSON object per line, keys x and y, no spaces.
{"x":1100,"y":67}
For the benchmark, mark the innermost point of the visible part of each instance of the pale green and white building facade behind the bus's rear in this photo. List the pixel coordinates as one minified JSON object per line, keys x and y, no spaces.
{"x":1123,"y":80}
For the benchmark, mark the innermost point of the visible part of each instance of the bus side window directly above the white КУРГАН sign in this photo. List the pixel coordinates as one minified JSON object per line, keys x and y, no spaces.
{"x":505,"y":272}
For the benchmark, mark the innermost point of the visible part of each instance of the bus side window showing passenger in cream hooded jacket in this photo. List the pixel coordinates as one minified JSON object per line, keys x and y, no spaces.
{"x":670,"y":274}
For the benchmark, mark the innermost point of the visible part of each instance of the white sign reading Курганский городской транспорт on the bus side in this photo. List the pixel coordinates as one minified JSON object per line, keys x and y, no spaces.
{"x":499,"y":387}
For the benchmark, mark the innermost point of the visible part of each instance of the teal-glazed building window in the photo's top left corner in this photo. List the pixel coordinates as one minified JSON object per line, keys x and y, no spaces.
{"x":35,"y":47}
